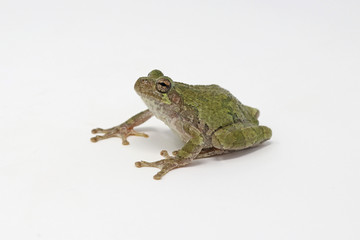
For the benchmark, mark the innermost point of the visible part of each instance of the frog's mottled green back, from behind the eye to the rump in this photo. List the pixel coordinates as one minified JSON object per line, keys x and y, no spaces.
{"x":216,"y":106}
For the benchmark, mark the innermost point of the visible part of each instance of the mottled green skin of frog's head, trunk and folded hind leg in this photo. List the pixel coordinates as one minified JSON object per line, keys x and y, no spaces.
{"x":218,"y":117}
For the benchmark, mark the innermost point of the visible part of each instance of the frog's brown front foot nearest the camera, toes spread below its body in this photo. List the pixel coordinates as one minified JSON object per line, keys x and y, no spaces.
{"x":165,"y":165}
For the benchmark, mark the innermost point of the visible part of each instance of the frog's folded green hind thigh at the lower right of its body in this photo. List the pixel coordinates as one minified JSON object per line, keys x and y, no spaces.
{"x":236,"y":137}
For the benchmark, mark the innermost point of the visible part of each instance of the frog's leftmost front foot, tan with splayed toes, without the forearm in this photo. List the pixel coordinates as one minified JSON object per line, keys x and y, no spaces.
{"x":122,"y":132}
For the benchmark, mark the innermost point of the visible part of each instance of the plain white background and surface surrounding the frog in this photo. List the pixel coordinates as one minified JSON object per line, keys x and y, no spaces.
{"x":69,"y":66}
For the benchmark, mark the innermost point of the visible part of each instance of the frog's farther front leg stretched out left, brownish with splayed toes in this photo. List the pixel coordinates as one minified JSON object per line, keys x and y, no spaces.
{"x":125,"y":129}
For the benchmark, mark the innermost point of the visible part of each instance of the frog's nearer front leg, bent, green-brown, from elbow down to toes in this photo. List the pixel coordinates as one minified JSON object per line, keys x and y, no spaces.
{"x":183,"y":157}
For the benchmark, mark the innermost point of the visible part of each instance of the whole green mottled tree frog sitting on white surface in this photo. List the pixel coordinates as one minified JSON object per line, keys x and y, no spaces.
{"x":207,"y":118}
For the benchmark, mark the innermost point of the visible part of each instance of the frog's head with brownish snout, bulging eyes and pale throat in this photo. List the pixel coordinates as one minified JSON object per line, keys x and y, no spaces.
{"x":156,"y":89}
